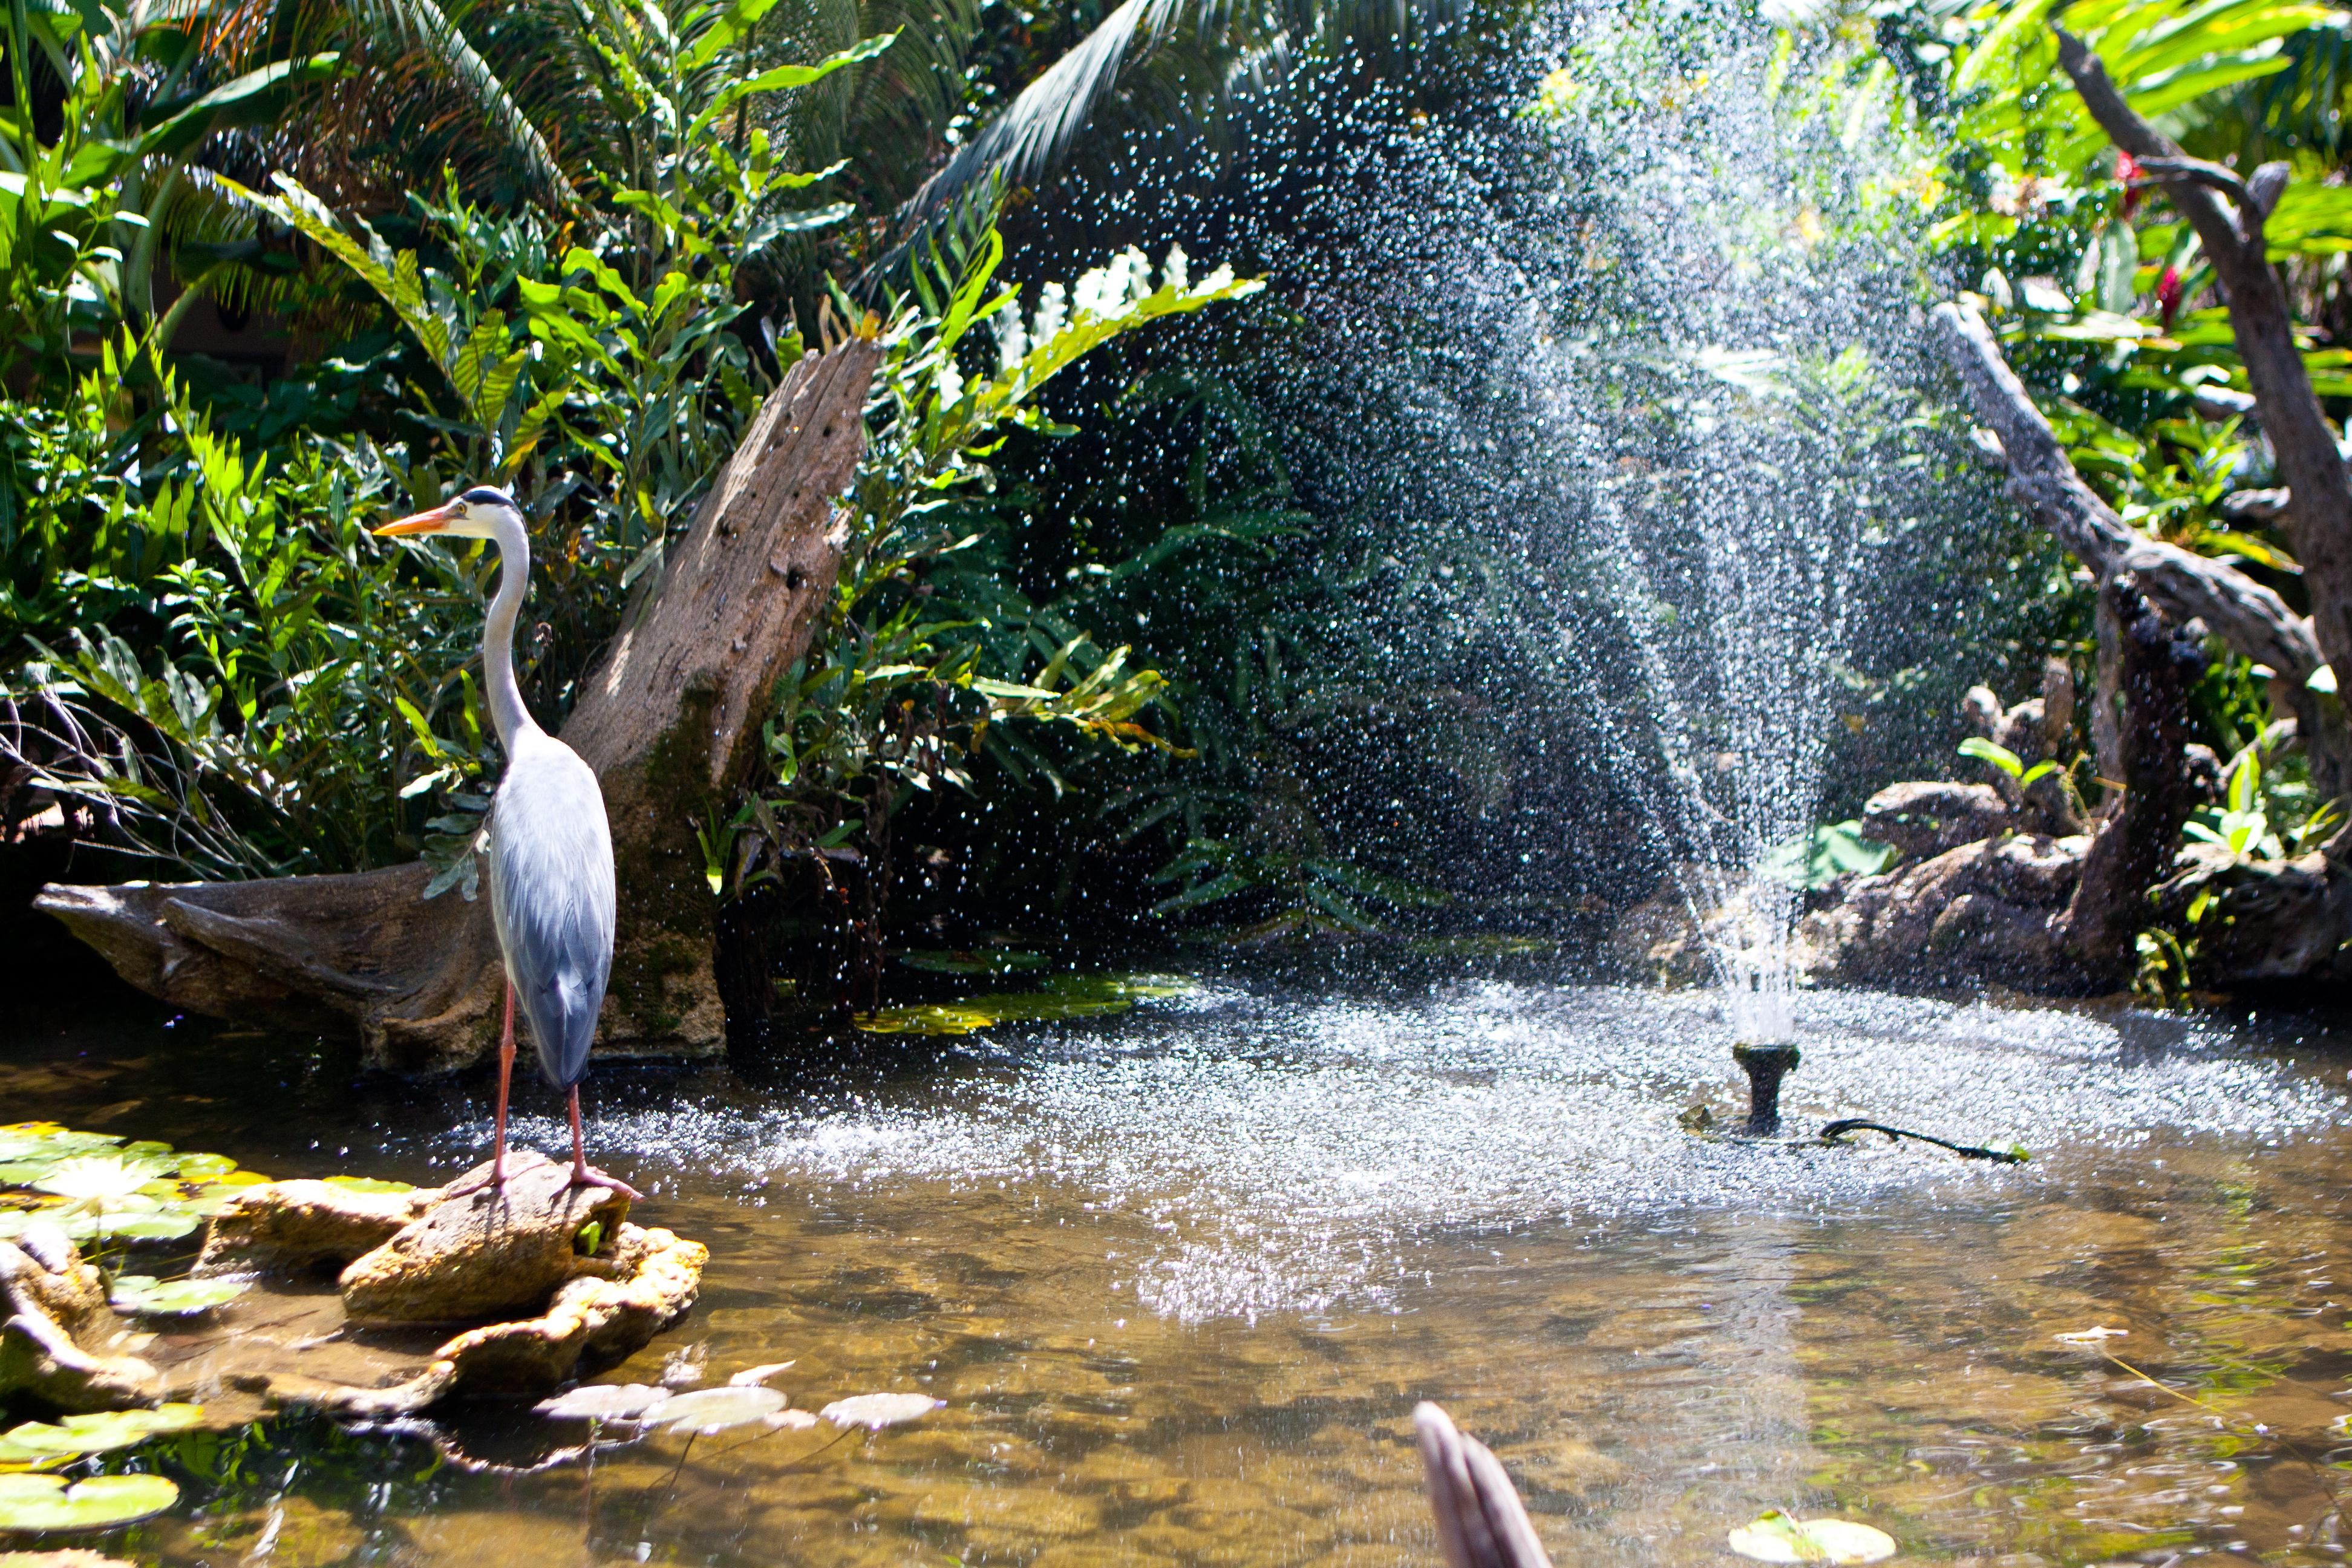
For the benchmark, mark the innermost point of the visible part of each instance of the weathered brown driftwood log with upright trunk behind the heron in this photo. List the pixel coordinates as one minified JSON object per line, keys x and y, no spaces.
{"x":669,"y":721}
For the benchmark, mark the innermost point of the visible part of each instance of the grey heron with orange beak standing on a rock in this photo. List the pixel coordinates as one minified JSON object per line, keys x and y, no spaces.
{"x":552,"y":894}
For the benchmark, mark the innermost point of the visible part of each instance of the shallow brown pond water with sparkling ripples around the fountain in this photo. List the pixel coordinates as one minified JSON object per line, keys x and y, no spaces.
{"x":1182,"y":1275}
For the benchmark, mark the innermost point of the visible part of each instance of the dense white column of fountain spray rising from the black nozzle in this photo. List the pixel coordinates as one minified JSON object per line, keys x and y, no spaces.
{"x":1730,"y":481}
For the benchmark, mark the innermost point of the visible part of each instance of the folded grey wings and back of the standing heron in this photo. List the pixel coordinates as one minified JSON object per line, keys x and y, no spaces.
{"x":554,"y":899}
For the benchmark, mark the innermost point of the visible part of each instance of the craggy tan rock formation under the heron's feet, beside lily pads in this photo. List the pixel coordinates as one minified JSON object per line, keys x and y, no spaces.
{"x":568,"y":1282}
